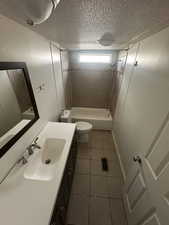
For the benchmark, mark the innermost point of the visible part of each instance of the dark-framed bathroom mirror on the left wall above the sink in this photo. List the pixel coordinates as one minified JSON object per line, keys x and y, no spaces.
{"x":18,"y":110}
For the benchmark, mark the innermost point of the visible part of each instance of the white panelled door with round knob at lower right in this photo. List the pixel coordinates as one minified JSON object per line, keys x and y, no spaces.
{"x":146,"y":191}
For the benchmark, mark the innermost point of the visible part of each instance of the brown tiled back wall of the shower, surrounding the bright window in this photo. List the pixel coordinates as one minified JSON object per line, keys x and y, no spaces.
{"x":91,"y":83}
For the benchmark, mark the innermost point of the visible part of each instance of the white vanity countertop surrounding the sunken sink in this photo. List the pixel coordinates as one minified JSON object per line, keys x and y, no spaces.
{"x":30,"y":202}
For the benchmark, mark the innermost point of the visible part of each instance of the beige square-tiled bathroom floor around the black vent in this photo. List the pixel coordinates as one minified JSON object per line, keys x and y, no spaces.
{"x":96,"y":194}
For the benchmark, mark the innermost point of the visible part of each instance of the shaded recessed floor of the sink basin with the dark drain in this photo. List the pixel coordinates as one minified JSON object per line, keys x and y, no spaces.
{"x":52,"y":150}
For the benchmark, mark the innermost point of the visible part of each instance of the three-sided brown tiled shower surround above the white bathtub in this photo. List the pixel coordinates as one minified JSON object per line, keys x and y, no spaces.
{"x":92,"y":85}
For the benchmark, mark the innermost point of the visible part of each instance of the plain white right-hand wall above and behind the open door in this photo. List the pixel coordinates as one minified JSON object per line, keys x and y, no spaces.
{"x":143,"y":104}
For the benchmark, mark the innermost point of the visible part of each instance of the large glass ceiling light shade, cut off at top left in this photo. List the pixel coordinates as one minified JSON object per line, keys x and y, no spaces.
{"x":40,"y":10}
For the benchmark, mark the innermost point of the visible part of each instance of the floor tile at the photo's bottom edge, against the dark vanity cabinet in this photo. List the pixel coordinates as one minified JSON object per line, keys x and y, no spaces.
{"x":78,"y":210}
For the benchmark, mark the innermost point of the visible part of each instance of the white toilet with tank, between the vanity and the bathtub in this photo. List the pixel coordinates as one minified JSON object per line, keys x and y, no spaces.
{"x":83,"y":128}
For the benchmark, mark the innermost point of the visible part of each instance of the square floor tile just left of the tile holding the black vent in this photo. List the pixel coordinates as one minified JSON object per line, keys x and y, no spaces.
{"x":82,"y":166}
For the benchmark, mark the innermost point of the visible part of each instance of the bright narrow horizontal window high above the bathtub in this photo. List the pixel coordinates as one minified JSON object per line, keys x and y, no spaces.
{"x":95,"y":58}
